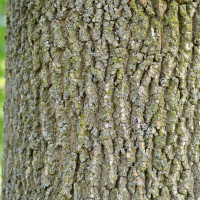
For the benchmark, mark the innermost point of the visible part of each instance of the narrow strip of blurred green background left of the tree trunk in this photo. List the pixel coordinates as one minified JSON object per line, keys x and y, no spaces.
{"x":2,"y":64}
